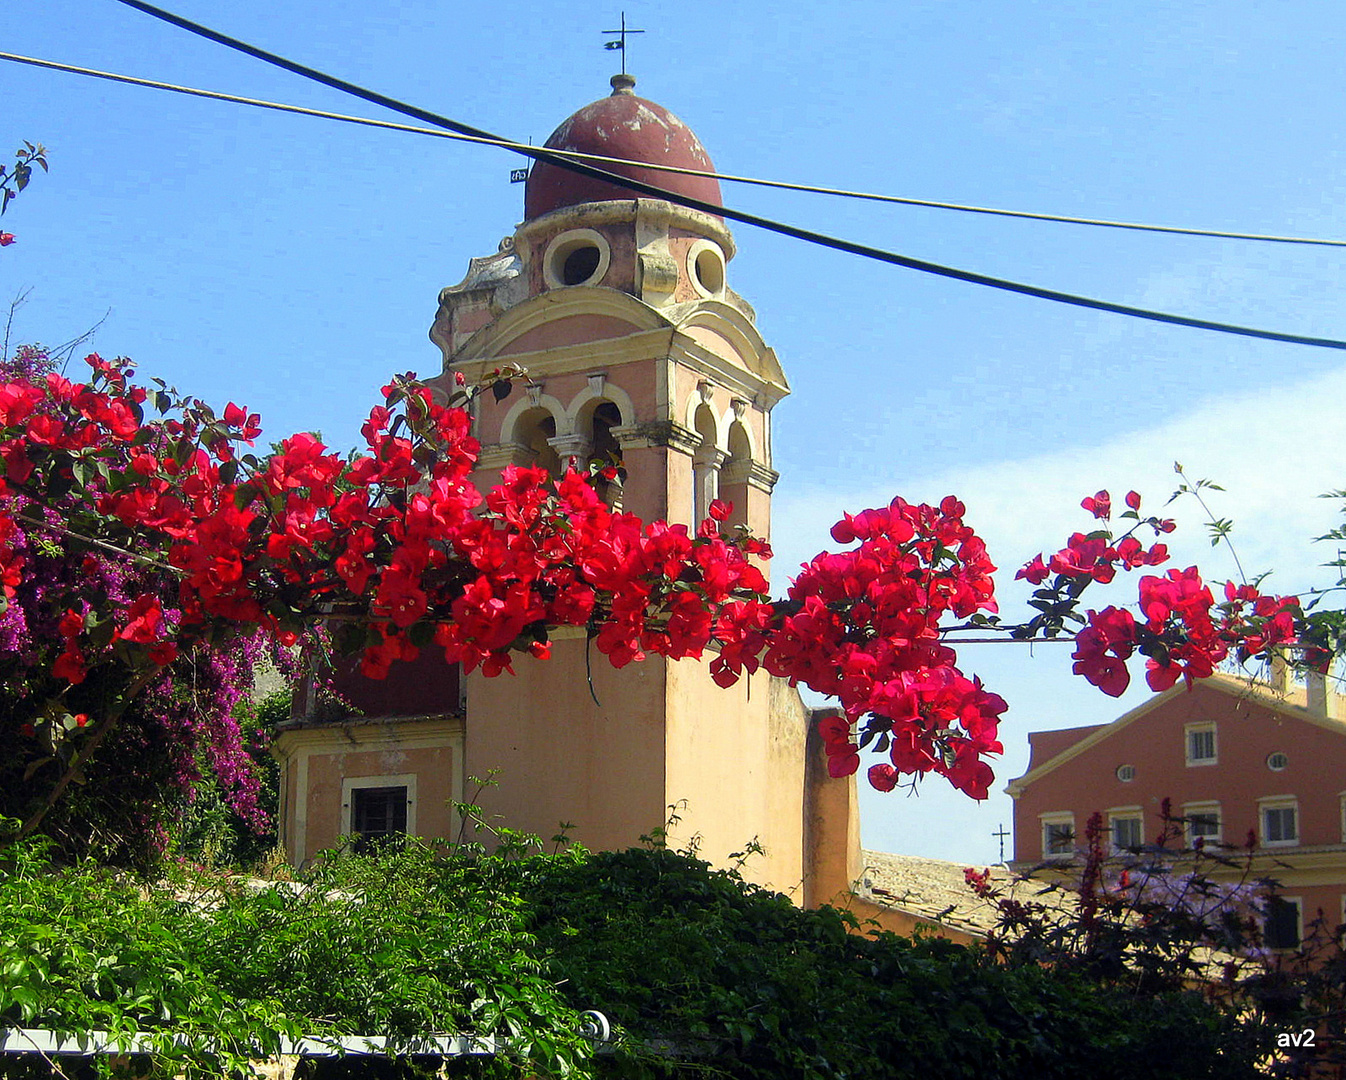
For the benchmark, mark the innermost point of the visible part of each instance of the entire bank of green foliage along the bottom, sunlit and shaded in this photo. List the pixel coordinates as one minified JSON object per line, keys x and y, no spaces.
{"x":699,"y":972}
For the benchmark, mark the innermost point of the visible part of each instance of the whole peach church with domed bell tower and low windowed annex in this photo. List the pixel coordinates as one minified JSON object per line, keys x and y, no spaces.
{"x":636,"y":345}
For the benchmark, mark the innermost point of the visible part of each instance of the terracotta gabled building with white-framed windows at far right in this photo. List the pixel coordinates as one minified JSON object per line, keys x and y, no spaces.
{"x":1234,"y":759}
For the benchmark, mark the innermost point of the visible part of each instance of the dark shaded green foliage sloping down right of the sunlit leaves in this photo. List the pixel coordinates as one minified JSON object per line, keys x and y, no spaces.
{"x":742,"y":982}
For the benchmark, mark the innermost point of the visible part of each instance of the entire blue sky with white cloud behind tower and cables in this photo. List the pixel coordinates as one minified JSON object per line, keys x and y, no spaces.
{"x":290,"y":265}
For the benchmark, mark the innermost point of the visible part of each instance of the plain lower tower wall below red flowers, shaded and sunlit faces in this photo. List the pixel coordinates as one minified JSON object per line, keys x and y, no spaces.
{"x":616,"y":770}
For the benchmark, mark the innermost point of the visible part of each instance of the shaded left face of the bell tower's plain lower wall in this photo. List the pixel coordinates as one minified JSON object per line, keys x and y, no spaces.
{"x":563,"y":759}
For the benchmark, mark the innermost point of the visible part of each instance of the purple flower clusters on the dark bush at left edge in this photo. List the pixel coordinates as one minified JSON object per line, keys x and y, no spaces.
{"x":180,"y":725}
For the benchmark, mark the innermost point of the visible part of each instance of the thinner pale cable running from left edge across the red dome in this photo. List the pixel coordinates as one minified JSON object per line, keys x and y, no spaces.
{"x":722,"y":177}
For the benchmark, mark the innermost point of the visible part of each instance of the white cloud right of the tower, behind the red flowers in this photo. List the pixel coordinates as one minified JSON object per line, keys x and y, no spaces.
{"x":1274,"y":453}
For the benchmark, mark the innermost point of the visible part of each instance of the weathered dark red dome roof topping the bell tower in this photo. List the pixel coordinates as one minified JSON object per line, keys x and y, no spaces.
{"x":629,"y":127}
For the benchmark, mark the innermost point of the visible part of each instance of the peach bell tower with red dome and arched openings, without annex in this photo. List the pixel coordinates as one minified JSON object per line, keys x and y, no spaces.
{"x":639,"y":353}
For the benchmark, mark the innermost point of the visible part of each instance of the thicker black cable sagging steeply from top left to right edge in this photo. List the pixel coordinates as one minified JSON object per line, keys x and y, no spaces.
{"x":725,"y":212}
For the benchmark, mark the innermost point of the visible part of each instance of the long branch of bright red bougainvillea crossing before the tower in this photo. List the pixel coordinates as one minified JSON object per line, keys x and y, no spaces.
{"x":399,"y":551}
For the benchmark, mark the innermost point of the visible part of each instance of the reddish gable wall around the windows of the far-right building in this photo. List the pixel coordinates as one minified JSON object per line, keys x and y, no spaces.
{"x":1154,"y":744}
